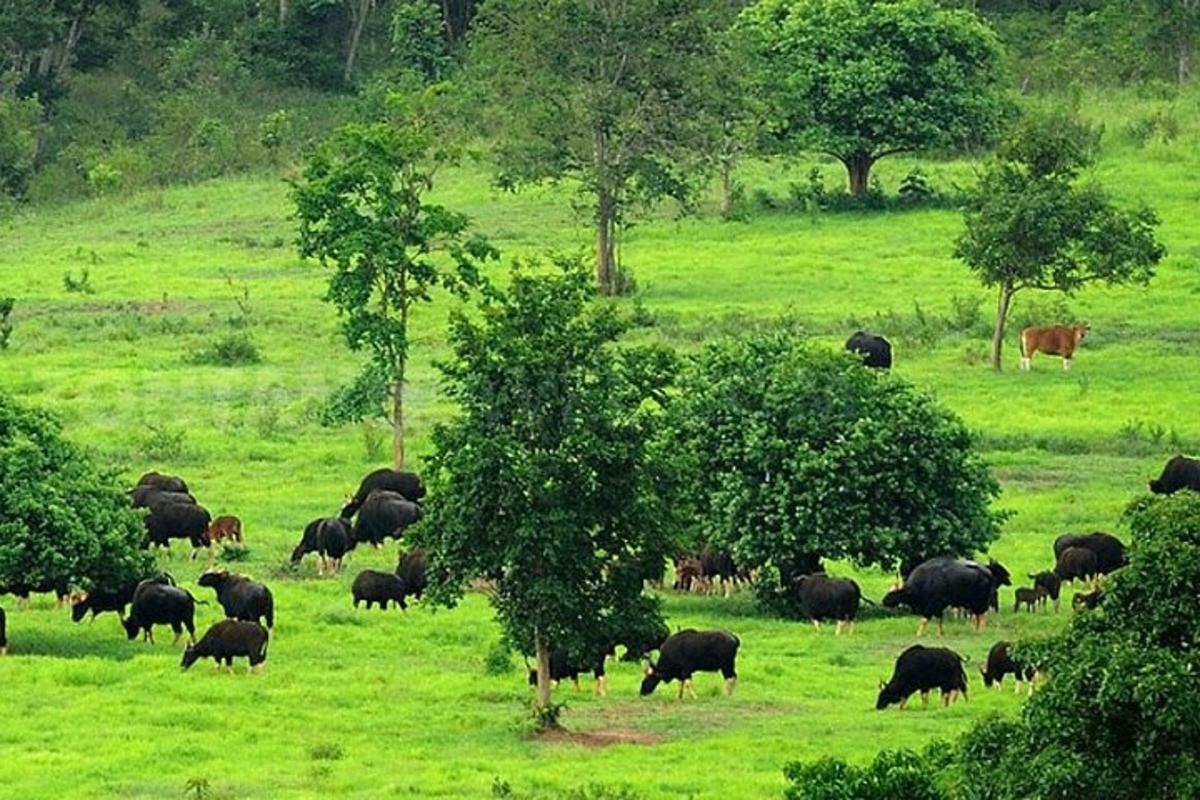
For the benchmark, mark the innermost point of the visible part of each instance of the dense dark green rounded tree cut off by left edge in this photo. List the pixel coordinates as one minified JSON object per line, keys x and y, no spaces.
{"x":64,"y":522}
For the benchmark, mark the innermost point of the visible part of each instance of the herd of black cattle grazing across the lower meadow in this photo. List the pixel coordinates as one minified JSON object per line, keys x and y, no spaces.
{"x":388,"y":502}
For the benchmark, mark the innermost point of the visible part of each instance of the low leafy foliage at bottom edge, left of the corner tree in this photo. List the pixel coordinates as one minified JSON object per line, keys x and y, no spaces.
{"x":893,"y":774}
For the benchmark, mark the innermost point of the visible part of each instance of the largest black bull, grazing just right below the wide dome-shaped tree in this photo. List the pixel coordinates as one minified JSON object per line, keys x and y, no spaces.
{"x":943,"y":584}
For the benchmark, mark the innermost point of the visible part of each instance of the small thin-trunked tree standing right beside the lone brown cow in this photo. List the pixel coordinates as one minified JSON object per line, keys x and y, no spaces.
{"x":1033,"y":225}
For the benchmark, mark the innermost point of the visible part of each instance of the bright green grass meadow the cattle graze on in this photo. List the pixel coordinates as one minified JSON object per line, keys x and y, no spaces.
{"x":373,"y":705}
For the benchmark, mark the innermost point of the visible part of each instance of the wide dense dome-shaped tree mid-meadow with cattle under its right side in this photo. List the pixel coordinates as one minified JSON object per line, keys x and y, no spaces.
{"x":787,"y":454}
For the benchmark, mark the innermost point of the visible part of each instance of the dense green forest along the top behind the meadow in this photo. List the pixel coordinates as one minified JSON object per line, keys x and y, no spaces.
{"x":99,"y":97}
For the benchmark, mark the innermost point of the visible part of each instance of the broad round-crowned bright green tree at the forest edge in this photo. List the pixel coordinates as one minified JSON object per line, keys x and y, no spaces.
{"x":861,"y":80}
